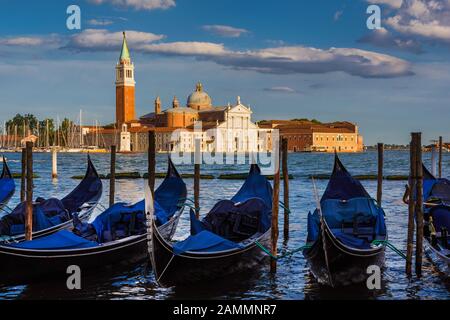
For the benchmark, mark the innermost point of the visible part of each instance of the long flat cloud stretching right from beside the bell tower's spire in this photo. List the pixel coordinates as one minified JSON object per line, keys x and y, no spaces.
{"x":290,"y":60}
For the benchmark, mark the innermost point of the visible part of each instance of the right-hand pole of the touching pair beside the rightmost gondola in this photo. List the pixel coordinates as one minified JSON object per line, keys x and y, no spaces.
{"x":419,"y":205}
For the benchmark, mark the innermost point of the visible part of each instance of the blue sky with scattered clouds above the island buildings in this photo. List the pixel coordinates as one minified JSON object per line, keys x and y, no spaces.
{"x":285,"y":59}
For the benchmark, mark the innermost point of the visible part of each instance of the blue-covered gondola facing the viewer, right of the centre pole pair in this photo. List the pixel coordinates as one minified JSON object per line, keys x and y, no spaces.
{"x":342,"y":230}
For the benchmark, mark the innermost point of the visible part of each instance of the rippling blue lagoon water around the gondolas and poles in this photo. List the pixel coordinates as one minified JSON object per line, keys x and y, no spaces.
{"x":293,"y":279}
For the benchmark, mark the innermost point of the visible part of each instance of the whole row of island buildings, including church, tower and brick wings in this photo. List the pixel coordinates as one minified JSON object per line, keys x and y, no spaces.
{"x":223,"y":128}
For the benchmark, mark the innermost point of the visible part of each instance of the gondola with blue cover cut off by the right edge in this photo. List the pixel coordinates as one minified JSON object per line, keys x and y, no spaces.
{"x":436,"y":194}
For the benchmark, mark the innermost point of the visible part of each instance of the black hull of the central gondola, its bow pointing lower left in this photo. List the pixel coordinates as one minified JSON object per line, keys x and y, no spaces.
{"x":188,"y":268}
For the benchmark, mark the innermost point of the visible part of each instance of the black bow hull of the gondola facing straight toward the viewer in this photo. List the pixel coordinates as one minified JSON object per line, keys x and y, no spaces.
{"x":338,"y":265}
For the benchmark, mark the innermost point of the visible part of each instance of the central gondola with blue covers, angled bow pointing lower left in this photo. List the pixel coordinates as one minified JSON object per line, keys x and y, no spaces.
{"x":222,"y":243}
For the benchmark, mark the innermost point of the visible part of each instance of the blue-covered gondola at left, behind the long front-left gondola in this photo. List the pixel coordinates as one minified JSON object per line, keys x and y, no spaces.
{"x":51,"y":215}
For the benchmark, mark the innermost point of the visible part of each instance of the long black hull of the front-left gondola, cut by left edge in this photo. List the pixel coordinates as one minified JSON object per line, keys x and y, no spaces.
{"x":21,"y":266}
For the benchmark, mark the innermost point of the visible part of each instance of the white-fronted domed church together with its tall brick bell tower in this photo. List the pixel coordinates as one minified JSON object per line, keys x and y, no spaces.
{"x":226,"y":128}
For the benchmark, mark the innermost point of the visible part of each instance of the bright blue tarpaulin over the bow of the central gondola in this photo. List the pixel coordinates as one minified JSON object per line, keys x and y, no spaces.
{"x":204,"y":241}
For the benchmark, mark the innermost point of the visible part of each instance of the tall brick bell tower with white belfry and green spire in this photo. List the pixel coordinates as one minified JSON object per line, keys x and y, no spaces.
{"x":125,"y":108}
